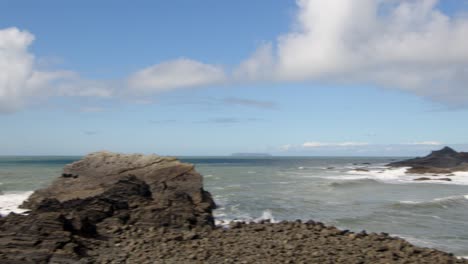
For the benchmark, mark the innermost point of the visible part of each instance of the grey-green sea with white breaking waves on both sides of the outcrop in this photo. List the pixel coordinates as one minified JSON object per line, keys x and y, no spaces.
{"x":348,"y":192}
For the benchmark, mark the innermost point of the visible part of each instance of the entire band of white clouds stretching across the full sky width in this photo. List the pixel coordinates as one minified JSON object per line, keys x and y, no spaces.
{"x":408,"y":45}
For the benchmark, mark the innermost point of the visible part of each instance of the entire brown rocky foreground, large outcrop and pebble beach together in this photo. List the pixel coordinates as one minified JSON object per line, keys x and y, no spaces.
{"x":114,"y":208}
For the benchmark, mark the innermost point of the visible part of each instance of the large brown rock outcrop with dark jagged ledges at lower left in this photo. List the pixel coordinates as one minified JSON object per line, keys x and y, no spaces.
{"x":104,"y":191}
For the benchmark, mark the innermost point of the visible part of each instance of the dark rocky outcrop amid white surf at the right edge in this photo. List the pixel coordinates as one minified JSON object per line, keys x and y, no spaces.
{"x":444,"y":161}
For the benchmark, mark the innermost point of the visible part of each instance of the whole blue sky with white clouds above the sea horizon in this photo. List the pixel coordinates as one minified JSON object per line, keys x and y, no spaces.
{"x":215,"y":77}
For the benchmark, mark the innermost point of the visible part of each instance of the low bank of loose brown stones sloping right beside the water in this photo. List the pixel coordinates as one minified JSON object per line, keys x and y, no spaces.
{"x":284,"y":242}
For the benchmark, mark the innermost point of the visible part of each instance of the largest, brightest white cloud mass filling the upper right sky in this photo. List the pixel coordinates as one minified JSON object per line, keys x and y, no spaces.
{"x":409,"y":45}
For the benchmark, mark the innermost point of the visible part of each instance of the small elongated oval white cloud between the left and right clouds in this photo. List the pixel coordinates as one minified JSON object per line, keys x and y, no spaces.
{"x":180,"y":73}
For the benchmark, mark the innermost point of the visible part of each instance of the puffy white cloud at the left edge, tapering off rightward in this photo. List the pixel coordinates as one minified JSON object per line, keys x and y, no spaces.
{"x":21,"y":80}
